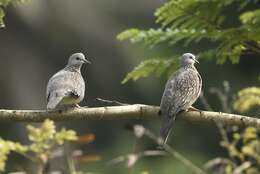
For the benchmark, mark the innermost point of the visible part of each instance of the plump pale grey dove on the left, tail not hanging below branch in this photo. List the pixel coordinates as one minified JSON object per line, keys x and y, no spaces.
{"x":67,"y":87}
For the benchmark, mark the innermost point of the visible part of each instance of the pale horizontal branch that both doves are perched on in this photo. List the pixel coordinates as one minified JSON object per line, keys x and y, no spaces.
{"x":136,"y":111}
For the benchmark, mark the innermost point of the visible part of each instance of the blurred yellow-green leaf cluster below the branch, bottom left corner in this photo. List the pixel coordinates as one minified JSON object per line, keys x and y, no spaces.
{"x":43,"y":140}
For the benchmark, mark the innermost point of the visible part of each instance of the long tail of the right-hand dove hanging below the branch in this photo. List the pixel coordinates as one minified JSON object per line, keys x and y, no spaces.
{"x":166,"y":128}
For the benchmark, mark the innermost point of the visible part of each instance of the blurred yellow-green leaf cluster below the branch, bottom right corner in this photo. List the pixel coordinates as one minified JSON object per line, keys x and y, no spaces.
{"x":244,"y":152}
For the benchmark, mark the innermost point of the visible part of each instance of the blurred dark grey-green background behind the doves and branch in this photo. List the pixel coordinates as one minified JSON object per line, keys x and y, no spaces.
{"x":40,"y":36}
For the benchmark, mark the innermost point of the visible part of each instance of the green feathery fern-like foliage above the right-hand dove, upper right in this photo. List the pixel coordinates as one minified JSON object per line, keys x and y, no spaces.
{"x":186,"y":22}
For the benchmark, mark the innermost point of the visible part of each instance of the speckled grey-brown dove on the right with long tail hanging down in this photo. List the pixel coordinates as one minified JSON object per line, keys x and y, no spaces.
{"x":181,"y":91}
